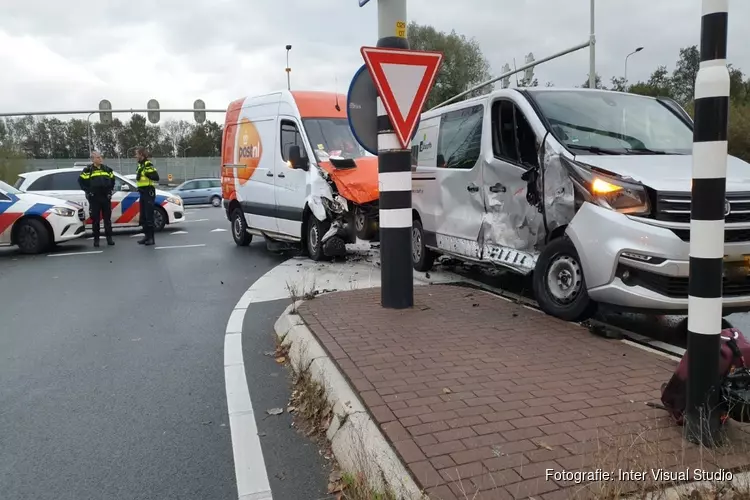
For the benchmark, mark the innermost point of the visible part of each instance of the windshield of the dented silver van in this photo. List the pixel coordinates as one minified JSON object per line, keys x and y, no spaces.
{"x":614,"y":122}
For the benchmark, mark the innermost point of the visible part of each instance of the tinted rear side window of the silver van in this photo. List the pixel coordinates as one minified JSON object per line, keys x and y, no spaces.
{"x":460,"y":138}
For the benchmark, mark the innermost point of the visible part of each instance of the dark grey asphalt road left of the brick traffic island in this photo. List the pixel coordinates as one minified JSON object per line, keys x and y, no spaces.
{"x":112,"y":369}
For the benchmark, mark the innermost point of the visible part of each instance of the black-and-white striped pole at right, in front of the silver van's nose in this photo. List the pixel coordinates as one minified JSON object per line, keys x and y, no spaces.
{"x":707,"y":212}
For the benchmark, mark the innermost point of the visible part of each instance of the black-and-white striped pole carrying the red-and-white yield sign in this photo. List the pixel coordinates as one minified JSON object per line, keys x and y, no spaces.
{"x":394,"y":175}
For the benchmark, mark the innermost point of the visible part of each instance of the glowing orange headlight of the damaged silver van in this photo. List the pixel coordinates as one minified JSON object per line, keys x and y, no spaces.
{"x":608,"y":192}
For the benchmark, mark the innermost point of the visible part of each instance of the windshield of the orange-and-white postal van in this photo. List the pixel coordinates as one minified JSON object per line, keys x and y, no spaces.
{"x":332,"y":137}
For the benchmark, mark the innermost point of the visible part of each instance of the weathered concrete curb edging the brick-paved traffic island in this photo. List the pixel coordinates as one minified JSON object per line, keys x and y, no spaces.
{"x":356,"y":440}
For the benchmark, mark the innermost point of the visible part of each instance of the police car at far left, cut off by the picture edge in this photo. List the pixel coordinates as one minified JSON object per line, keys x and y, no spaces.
{"x":34,"y":222}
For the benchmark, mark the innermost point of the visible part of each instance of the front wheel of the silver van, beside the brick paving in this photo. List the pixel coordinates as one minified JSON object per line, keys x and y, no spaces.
{"x":559,"y":285}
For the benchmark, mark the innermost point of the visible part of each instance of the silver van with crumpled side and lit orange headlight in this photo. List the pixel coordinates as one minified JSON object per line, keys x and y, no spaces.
{"x":588,"y":191}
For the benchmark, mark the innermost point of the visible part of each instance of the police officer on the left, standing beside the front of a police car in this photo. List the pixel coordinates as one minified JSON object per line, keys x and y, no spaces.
{"x":98,"y":182}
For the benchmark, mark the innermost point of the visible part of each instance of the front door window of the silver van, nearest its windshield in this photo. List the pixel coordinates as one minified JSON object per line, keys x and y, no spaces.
{"x":513,"y":139}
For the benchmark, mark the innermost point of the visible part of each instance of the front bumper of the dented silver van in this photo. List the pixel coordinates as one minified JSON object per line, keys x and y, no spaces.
{"x":635,"y":265}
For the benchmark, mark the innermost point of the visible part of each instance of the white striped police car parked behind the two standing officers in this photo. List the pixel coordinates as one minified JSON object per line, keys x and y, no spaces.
{"x":126,"y":210}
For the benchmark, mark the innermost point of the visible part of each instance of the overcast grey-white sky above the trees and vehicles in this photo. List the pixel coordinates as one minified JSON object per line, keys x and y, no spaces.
{"x":64,"y":54}
